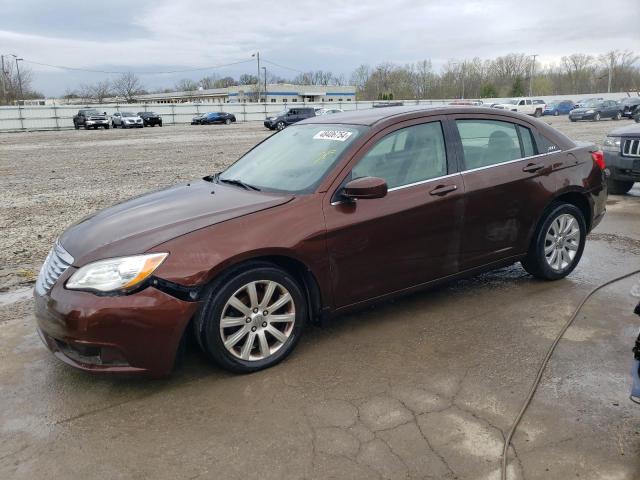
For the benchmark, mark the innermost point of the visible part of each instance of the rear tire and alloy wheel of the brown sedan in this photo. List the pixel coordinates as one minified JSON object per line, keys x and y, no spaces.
{"x":549,"y":258}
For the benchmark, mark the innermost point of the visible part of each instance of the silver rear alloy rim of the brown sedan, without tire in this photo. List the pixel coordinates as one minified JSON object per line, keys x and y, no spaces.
{"x":562,"y":242}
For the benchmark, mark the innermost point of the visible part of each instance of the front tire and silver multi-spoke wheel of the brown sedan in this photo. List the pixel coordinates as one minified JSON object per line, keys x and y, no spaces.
{"x":253,"y":325}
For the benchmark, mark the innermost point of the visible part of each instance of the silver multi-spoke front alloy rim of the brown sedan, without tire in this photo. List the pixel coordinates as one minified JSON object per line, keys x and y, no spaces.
{"x":257,"y":320}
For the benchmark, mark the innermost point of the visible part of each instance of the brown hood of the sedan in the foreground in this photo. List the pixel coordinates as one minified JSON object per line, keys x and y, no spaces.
{"x":143,"y":222}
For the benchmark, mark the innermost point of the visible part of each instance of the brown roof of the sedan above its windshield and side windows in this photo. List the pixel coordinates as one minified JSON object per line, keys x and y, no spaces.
{"x":372,"y":116}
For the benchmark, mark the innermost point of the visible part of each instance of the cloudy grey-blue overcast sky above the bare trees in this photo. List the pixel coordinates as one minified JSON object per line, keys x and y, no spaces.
{"x":334,"y":35}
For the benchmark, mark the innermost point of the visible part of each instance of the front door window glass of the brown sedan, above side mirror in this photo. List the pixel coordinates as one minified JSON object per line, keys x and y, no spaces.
{"x":406,"y":156}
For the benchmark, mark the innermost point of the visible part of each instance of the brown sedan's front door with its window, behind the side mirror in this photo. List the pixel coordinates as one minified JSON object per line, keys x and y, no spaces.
{"x":410,"y":236}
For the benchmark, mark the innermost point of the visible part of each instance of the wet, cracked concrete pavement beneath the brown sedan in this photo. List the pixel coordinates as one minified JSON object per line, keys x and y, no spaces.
{"x":421,"y":387}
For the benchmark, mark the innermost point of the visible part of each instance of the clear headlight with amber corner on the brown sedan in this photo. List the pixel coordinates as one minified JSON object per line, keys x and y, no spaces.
{"x":112,"y":274}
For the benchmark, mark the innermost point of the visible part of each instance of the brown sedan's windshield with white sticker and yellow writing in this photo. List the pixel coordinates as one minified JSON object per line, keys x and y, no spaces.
{"x":295,"y":159}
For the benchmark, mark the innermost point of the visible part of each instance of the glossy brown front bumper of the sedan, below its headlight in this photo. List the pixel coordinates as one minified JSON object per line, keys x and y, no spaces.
{"x":136,"y":334}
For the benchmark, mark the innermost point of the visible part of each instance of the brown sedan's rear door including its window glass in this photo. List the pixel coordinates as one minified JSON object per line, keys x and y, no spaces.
{"x":508,"y":182}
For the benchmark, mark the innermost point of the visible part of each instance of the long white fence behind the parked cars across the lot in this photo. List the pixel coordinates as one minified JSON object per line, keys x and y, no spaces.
{"x":58,"y":117}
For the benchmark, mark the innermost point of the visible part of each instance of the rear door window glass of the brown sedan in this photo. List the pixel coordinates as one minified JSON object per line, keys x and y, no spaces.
{"x":488,"y":142}
